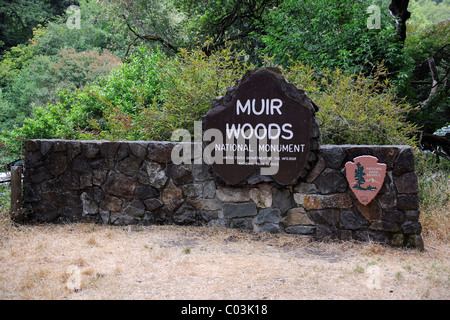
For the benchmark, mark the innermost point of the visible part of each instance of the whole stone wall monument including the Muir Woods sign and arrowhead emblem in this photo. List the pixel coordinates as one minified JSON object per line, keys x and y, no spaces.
{"x":256,"y":165}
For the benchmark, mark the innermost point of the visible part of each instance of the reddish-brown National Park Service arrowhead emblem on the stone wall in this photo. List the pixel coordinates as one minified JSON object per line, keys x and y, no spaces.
{"x":365,"y":177}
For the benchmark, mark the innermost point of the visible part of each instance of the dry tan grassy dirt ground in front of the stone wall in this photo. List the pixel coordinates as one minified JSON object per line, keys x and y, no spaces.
{"x":85,"y":261}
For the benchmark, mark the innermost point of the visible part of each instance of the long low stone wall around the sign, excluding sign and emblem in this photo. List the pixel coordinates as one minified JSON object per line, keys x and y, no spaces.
{"x":123,"y":183}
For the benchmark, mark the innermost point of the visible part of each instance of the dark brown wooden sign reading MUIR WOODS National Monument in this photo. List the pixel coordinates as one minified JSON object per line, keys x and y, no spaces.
{"x":265,"y":123}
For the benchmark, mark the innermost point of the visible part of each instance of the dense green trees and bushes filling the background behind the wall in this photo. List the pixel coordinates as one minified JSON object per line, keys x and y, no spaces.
{"x":122,"y":69}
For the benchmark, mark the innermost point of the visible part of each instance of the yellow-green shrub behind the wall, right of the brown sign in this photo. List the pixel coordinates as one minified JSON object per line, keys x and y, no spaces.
{"x":355,"y":109}
